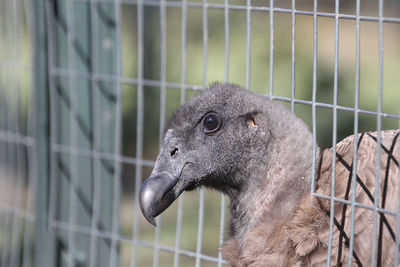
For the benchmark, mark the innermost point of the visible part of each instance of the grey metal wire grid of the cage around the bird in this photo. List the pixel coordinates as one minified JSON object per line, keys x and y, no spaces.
{"x":9,"y":136}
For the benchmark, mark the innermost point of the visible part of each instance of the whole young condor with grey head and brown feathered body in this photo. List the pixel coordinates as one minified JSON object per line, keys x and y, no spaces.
{"x":260,"y":155}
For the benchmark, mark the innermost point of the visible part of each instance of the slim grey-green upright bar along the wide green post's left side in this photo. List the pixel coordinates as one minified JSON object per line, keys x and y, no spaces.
{"x":44,"y":239}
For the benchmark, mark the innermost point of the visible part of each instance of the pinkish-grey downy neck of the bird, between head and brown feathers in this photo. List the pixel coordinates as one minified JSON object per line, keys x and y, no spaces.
{"x":275,"y":194}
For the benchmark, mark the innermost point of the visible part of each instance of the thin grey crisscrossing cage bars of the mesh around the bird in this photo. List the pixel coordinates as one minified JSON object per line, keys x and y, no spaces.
{"x":115,"y":156}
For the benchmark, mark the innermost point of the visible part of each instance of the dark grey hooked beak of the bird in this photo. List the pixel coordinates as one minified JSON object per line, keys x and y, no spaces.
{"x":157,"y":194}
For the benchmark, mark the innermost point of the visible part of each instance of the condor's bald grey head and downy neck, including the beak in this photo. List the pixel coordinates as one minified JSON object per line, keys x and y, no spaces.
{"x":238,"y":142}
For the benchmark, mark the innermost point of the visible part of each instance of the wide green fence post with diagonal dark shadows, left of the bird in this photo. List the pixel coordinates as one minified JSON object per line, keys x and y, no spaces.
{"x":85,"y":43}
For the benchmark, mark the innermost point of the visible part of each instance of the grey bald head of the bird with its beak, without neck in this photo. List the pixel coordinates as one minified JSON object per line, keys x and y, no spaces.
{"x":217,"y":139}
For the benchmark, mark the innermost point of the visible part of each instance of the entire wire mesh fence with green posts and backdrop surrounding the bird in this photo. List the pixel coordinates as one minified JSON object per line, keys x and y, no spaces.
{"x":86,"y":88}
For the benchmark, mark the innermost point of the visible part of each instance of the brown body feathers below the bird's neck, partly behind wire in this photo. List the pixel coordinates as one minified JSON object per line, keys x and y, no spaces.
{"x":302,"y":239}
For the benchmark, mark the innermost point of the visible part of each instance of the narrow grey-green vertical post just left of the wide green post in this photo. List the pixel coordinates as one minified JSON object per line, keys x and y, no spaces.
{"x":44,"y":240}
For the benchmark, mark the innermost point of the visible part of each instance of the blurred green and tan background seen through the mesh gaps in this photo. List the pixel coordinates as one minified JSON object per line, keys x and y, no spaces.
{"x":236,"y":73}
